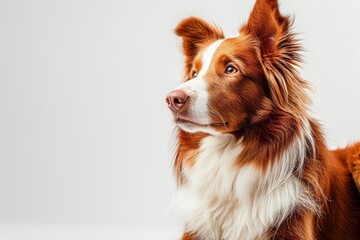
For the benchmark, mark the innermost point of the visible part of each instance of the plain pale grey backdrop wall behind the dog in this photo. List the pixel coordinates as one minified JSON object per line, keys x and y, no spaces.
{"x":85,"y":134}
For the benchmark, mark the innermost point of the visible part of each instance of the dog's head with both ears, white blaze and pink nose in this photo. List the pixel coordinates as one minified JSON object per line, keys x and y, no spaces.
{"x":233,"y":82}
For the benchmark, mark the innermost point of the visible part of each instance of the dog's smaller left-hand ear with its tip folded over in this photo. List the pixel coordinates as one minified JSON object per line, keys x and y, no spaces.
{"x":195,"y":32}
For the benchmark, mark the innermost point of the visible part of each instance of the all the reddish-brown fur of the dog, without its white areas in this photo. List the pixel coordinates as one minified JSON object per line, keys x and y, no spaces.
{"x":264,"y":103}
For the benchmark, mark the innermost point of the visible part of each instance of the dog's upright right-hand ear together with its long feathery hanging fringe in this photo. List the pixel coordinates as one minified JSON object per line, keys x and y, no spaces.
{"x":280,"y":54}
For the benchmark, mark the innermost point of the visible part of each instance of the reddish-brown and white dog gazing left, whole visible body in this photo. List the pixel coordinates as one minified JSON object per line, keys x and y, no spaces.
{"x":251,"y":163}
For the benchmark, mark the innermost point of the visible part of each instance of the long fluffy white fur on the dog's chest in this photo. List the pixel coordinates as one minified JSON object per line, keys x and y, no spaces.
{"x":222,"y":202}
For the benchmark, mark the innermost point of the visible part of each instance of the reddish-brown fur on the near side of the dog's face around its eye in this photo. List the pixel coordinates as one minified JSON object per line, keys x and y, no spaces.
{"x":241,"y":96}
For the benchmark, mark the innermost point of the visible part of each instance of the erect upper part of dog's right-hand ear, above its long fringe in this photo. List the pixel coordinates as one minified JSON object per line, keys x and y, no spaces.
{"x":267,"y":24}
